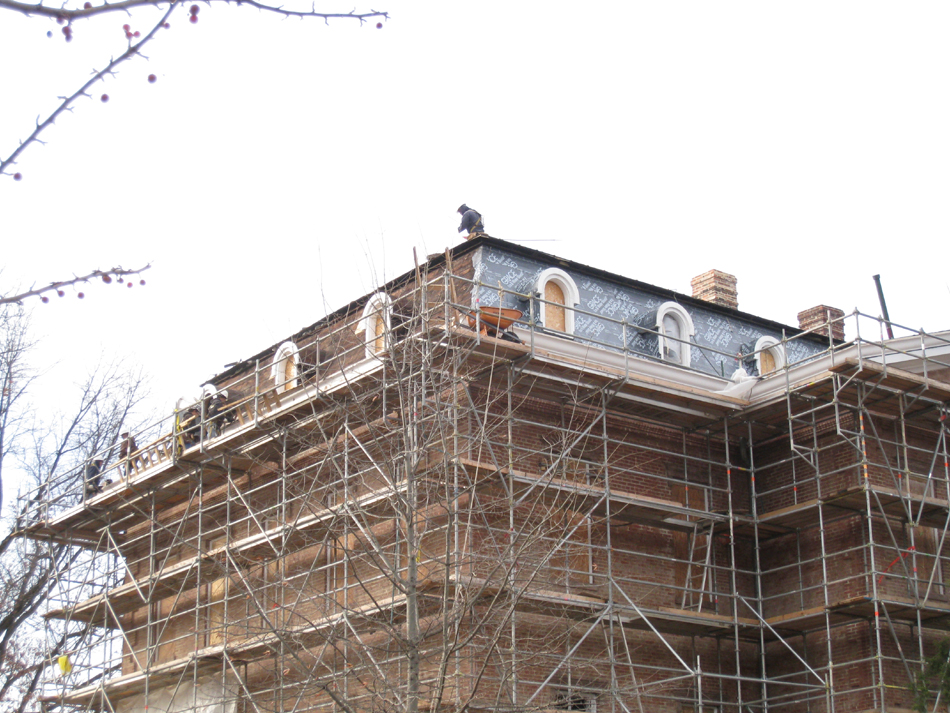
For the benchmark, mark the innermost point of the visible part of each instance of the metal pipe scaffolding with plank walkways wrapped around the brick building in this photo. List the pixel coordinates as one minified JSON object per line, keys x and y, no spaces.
{"x":410,"y":509}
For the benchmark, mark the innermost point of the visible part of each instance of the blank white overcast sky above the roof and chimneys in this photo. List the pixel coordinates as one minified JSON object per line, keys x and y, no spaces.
{"x":278,"y":169}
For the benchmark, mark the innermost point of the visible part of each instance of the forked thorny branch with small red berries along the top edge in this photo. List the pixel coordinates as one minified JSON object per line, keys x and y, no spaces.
{"x":66,"y":16}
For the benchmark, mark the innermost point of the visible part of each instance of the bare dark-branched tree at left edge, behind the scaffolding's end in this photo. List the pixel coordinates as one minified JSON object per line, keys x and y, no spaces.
{"x":40,"y":453}
